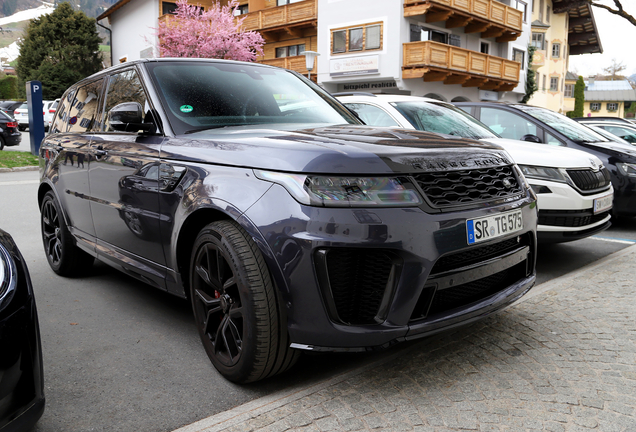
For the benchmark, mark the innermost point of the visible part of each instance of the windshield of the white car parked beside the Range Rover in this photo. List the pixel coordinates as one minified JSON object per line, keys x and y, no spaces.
{"x":444,"y":119}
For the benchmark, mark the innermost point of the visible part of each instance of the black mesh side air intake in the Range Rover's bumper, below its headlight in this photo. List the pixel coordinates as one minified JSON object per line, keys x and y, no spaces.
{"x":358,"y":281}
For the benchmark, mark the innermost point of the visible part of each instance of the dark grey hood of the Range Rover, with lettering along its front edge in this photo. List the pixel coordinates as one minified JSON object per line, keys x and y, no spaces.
{"x":349,"y":149}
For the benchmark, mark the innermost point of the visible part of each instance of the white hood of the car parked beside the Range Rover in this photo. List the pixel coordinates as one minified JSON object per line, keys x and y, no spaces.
{"x":545,"y":155}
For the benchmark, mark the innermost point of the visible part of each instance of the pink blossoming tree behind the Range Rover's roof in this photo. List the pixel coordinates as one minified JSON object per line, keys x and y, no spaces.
{"x":215,"y":33}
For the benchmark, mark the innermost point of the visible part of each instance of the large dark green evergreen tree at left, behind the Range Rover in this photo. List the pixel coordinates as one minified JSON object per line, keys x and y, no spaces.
{"x":58,"y":50}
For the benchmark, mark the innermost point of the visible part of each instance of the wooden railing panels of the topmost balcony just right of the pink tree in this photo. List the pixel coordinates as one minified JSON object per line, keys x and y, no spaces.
{"x":285,"y":17}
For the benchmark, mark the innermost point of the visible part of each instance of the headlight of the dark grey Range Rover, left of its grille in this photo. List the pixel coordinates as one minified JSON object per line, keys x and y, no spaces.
{"x":335,"y":191}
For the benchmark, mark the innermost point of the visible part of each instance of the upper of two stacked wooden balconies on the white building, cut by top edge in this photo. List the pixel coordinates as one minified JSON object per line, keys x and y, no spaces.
{"x":488,"y":17}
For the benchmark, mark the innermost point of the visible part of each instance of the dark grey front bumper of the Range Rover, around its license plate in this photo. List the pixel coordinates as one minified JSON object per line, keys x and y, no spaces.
{"x":360,"y":279}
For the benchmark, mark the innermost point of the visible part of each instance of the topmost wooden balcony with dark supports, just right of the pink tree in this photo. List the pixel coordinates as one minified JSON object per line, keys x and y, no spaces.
{"x":293,"y":19}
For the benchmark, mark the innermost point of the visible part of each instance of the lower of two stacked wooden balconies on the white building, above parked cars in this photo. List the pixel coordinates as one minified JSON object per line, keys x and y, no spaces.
{"x":434,"y":61}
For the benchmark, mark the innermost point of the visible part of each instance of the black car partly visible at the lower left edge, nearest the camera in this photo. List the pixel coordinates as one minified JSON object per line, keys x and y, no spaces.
{"x":21,"y":373}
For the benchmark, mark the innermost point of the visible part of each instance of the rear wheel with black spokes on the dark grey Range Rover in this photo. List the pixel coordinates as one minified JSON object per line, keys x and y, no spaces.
{"x":64,"y":257}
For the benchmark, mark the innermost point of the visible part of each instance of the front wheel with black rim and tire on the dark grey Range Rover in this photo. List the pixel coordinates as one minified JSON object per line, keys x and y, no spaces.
{"x":235,"y":306}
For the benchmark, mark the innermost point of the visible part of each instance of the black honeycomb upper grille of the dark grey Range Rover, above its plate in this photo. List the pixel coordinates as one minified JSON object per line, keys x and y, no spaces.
{"x":451,"y":188}
